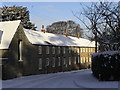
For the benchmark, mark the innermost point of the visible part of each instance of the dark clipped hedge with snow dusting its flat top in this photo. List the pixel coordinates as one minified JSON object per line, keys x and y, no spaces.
{"x":106,"y":65}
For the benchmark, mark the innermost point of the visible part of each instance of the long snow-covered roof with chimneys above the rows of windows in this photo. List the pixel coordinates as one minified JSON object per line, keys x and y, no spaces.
{"x":37,"y":37}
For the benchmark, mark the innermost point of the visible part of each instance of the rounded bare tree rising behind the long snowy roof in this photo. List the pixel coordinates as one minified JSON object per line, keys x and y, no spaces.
{"x":68,"y":27}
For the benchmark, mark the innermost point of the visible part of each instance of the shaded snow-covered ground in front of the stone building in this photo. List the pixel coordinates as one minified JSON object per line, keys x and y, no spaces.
{"x":73,"y":79}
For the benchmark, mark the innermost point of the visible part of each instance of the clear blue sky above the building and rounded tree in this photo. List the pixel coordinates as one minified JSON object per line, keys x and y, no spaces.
{"x":45,"y":13}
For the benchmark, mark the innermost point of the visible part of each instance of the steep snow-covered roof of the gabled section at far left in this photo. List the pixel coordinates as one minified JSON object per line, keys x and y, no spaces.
{"x":8,"y":30}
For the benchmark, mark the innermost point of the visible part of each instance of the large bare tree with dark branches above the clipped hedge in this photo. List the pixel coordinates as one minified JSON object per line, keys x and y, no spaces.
{"x":104,"y":18}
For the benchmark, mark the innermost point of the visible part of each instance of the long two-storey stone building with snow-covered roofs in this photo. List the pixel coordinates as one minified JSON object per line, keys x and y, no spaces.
{"x":27,"y":52}
